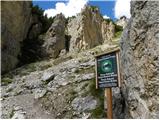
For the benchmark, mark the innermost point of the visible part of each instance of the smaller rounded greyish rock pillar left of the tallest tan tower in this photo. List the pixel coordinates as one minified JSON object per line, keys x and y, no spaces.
{"x":54,"y":40}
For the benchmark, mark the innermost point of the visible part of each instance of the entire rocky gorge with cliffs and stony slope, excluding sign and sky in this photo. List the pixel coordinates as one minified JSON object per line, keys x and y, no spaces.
{"x":48,"y":64}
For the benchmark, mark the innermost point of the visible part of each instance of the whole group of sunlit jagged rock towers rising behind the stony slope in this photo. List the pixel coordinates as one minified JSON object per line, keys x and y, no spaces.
{"x":84,"y":31}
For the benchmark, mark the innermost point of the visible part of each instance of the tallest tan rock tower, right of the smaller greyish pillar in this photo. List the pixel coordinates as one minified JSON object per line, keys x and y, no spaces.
{"x":88,"y":29}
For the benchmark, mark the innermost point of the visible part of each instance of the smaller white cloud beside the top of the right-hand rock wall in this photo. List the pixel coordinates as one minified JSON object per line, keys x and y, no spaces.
{"x":122,"y":8}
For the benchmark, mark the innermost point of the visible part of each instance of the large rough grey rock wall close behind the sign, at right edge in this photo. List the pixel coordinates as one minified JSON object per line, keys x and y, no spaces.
{"x":139,"y":60}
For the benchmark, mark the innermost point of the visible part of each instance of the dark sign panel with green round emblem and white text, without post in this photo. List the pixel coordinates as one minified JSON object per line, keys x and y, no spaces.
{"x":107,"y":70}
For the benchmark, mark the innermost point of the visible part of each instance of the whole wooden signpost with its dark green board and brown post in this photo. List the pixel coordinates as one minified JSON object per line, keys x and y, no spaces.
{"x":108,"y":75}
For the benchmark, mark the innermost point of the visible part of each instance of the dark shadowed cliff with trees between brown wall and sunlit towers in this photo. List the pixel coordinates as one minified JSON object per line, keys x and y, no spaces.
{"x":31,"y":47}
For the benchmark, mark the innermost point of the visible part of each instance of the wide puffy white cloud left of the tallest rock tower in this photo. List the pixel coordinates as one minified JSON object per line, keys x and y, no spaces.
{"x":71,"y":8}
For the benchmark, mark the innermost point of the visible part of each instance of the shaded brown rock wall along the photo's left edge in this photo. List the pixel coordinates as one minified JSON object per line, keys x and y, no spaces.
{"x":15,"y":20}
